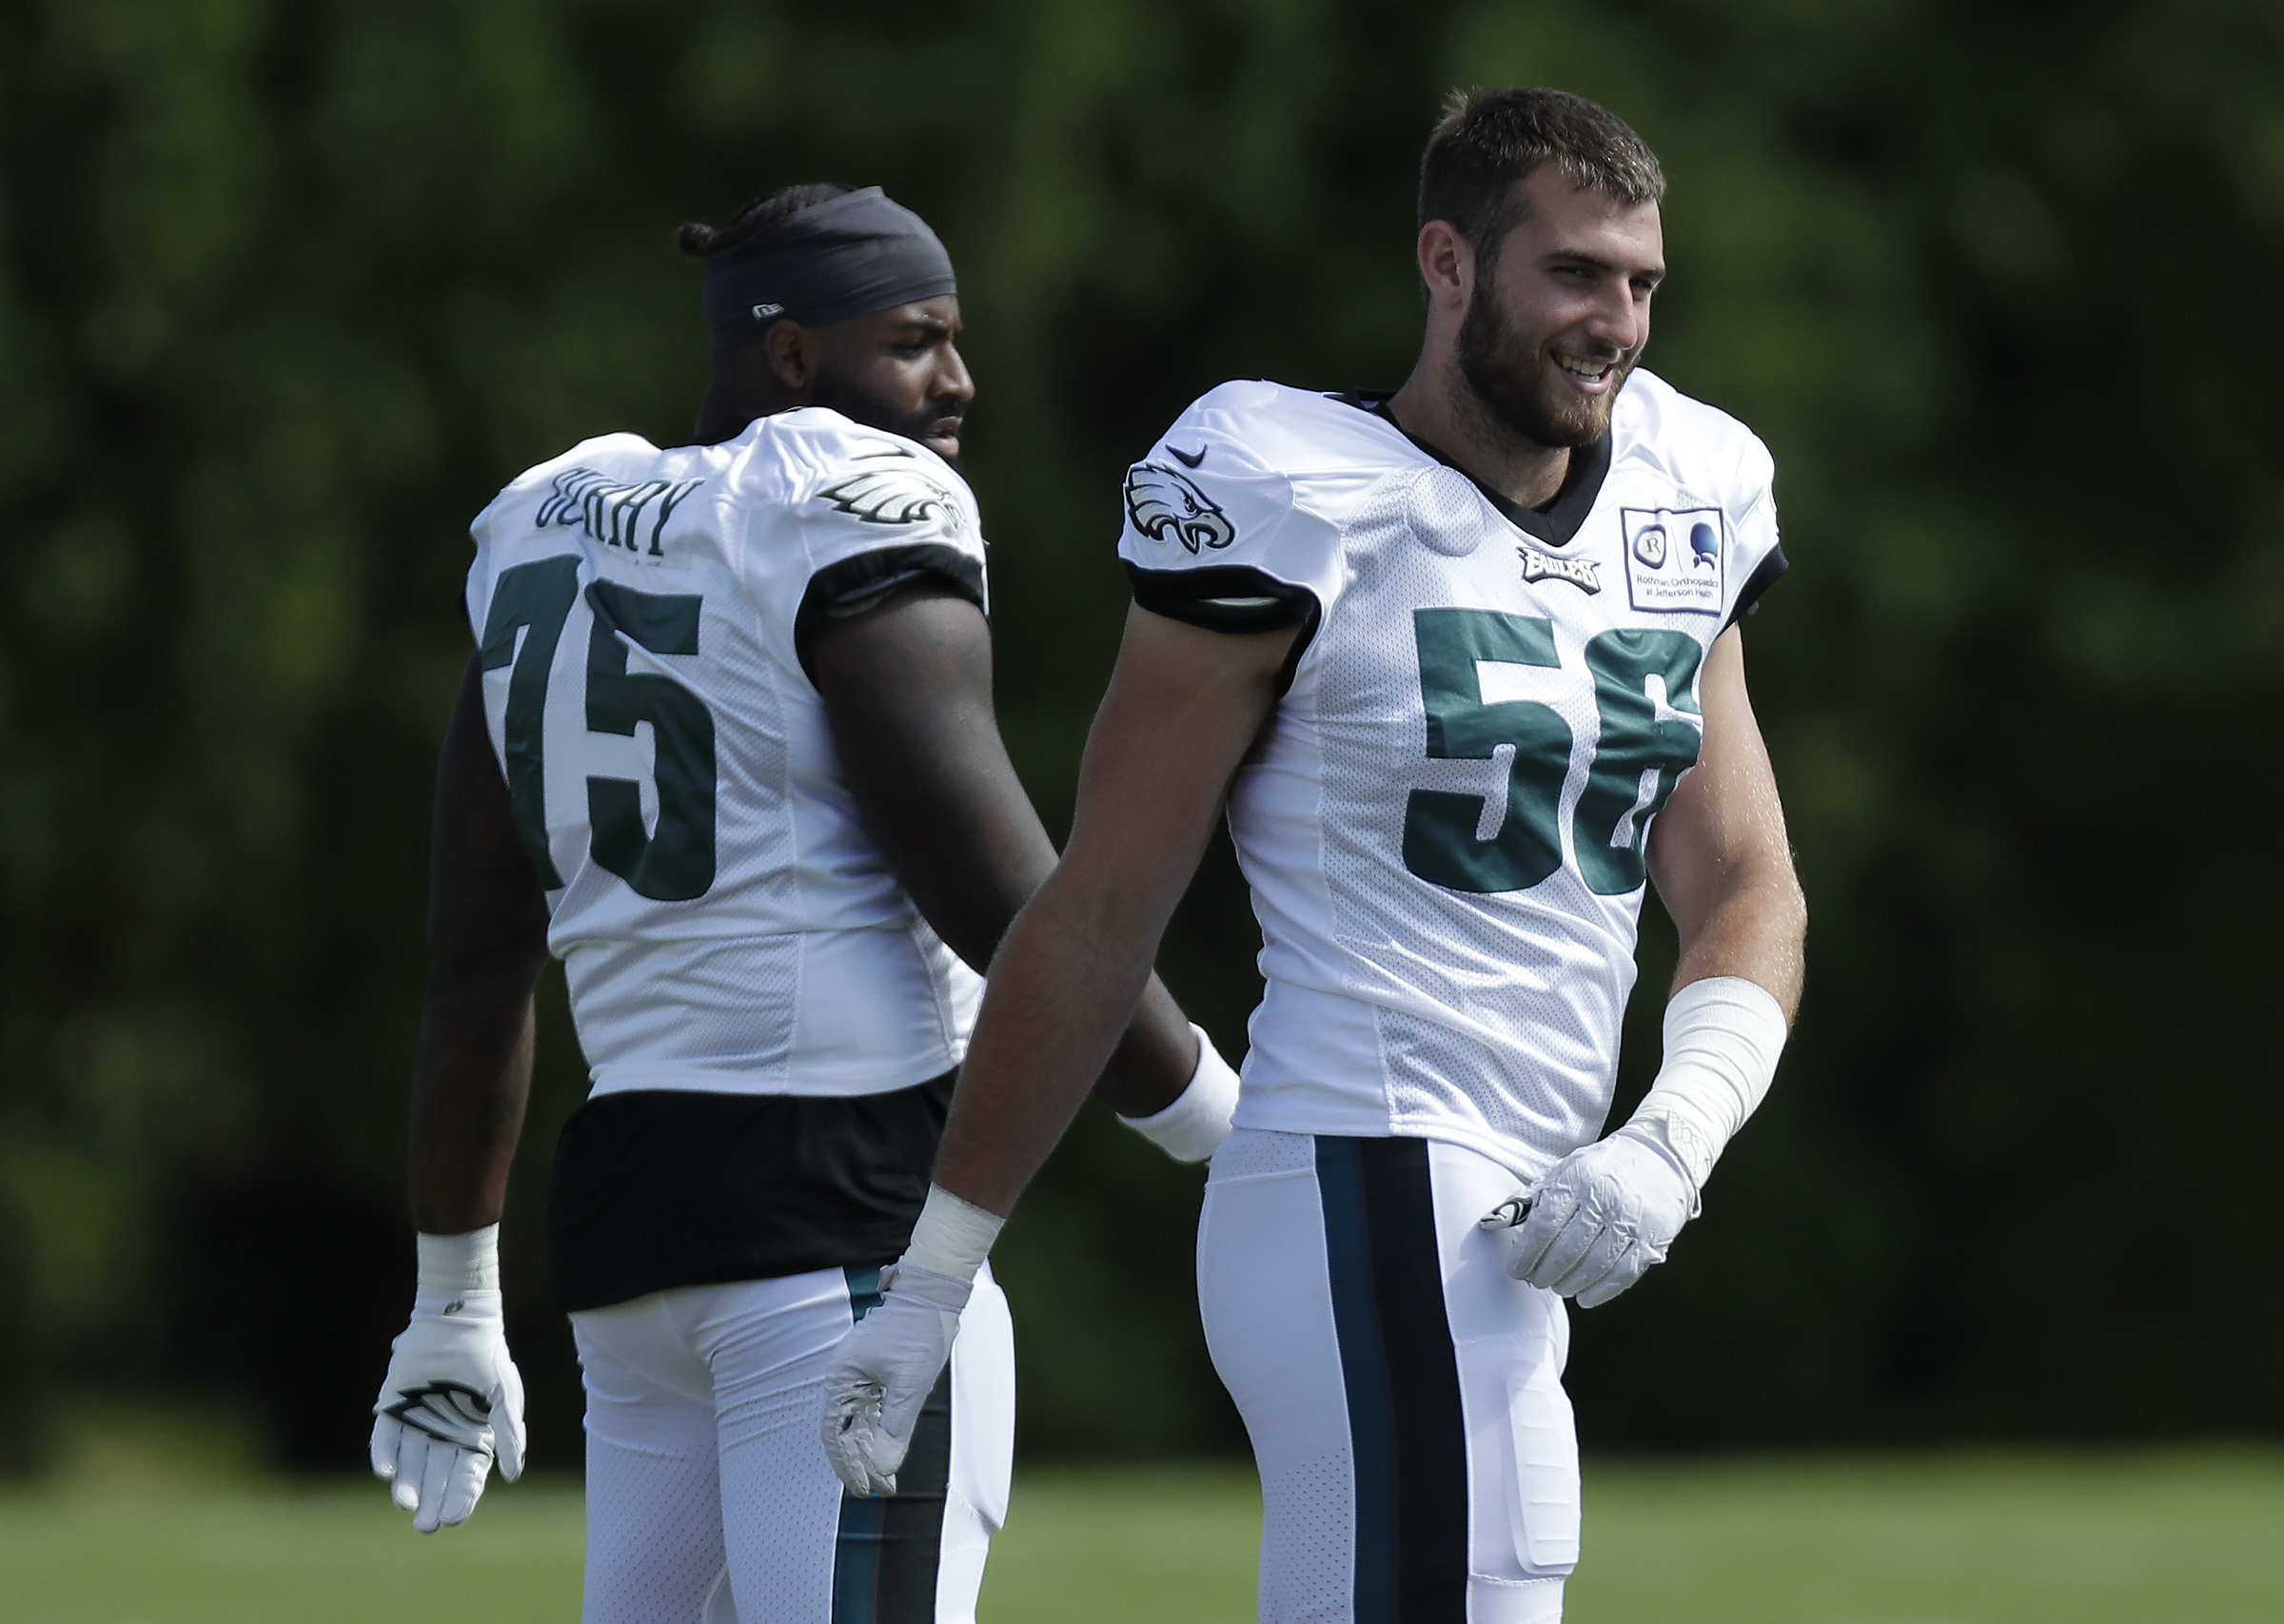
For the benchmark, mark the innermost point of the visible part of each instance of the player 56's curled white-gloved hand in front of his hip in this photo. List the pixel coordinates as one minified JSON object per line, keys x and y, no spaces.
{"x":1600,"y":1216}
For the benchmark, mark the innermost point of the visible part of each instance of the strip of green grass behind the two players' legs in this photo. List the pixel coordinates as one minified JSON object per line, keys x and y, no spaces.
{"x":1972,"y":1541}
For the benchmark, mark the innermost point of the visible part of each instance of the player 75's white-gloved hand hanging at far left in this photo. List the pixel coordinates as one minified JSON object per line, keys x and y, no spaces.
{"x":449,"y":1406}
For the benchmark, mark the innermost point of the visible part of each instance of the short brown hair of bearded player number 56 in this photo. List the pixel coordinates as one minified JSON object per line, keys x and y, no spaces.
{"x":1488,"y":143}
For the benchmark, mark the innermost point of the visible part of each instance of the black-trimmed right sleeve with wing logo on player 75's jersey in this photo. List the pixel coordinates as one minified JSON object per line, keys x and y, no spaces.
{"x":871,"y":515}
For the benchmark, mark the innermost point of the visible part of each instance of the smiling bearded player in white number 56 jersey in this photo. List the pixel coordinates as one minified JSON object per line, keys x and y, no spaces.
{"x":1465,"y":666}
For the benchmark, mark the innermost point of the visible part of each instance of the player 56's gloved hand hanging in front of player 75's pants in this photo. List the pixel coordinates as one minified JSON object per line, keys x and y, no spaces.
{"x":885,"y":1372}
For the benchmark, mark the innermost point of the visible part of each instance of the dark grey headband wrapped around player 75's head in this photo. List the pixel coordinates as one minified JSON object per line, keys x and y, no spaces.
{"x":826,"y":264}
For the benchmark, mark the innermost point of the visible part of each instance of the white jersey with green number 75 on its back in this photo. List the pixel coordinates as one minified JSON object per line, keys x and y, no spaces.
{"x":723,"y":917}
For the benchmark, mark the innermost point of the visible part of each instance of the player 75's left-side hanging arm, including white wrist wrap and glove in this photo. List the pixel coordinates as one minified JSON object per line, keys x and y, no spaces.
{"x":453,"y":1399}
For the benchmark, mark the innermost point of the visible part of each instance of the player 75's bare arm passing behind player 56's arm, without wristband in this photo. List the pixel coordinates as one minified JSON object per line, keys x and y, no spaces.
{"x":908,"y":689}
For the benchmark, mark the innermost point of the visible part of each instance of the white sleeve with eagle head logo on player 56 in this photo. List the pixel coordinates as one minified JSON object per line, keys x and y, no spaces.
{"x":1223,"y":540}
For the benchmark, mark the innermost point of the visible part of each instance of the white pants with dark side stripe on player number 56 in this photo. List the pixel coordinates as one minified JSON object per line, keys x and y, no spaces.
{"x":1404,"y":1394}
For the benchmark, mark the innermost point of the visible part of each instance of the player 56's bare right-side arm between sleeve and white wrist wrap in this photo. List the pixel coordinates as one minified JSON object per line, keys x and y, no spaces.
{"x":1719,"y":853}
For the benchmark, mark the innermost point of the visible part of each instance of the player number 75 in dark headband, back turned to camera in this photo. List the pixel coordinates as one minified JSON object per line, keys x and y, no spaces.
{"x":727,"y":750}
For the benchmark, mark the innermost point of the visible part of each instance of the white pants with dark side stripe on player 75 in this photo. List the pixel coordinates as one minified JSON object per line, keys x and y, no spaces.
{"x":709,"y":1500}
